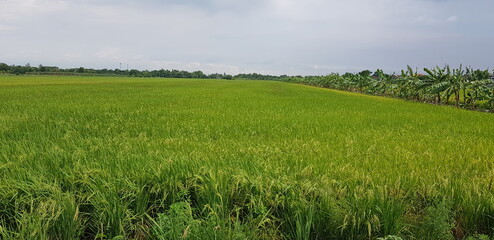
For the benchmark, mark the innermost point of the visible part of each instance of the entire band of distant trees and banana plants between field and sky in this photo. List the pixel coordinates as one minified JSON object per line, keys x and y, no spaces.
{"x":465,"y":88}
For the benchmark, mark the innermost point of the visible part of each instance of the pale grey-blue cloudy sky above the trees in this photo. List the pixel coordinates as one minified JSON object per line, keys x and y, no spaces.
{"x":294,"y":37}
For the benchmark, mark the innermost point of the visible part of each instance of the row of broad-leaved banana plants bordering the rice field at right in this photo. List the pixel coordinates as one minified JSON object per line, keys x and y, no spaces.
{"x":463,"y":87}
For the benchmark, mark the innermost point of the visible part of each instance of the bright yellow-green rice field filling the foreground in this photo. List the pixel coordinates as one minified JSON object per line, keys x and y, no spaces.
{"x":132,"y":158}
